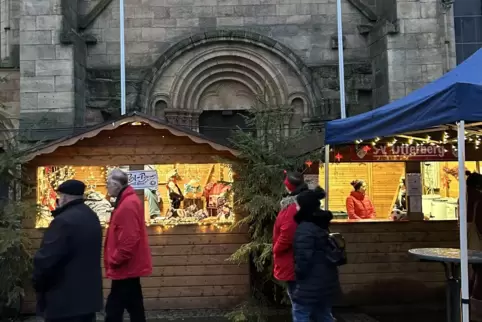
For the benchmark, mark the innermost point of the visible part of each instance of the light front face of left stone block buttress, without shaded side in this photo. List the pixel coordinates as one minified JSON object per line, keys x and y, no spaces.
{"x":47,"y":93}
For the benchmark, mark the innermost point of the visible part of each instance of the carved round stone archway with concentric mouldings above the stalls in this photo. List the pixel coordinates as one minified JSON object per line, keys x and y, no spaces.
{"x":224,"y":70}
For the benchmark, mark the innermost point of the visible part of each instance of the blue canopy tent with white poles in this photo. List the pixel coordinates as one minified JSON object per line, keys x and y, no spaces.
{"x":456,"y":97}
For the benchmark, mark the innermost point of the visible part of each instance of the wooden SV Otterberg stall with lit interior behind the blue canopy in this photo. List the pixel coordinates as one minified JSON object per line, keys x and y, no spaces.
{"x":380,"y":273}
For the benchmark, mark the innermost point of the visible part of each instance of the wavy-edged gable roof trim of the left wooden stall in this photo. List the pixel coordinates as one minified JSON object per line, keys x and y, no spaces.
{"x":133,"y":117}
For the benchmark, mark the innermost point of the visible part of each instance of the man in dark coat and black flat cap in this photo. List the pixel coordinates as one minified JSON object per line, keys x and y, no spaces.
{"x":67,"y":274}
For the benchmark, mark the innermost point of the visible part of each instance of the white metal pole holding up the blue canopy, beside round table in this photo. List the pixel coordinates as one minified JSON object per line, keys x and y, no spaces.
{"x":463,"y":221}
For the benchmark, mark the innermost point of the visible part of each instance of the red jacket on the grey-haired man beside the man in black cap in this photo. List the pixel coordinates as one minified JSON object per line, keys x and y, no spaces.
{"x":126,"y":252}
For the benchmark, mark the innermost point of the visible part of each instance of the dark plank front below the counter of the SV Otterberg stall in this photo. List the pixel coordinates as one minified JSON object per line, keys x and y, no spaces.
{"x":381,"y":272}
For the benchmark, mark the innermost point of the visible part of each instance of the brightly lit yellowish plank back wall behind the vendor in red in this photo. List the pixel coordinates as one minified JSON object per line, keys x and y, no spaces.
{"x":382,"y":180}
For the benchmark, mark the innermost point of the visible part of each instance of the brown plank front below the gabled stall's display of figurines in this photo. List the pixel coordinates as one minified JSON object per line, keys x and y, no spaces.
{"x":190,"y":270}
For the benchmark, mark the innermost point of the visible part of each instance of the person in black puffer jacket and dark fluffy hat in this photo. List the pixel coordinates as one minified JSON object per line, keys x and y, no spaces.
{"x":317,"y":282}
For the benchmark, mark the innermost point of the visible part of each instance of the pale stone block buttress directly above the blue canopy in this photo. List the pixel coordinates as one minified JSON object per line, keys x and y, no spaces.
{"x":409,"y":47}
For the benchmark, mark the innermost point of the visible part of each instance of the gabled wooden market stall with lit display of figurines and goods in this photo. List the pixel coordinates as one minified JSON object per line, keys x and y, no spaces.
{"x":190,"y":242}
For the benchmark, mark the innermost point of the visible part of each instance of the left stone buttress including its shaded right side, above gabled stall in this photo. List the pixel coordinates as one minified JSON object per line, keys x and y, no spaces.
{"x":53,"y":60}
